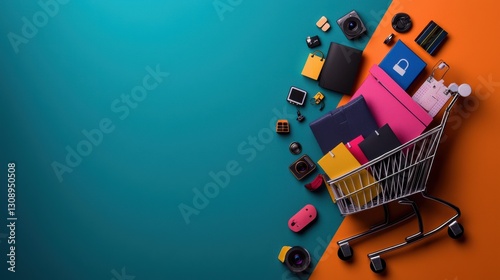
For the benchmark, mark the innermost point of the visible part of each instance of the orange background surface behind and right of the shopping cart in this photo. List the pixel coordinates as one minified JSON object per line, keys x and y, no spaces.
{"x":464,"y":172}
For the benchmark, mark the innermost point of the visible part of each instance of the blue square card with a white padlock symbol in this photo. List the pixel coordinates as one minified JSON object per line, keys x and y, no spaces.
{"x":402,"y":65}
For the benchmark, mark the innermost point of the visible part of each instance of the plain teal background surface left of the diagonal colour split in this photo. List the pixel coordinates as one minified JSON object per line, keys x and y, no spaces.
{"x":116,"y":215}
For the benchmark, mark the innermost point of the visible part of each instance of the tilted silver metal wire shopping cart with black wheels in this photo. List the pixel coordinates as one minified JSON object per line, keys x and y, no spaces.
{"x":395,"y":176}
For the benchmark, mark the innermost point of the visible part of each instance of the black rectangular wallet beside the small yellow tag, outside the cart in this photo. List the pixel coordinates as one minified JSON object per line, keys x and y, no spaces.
{"x":341,"y":68}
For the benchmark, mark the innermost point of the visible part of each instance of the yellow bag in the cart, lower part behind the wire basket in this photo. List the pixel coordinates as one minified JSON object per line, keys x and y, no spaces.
{"x":360,"y":187}
